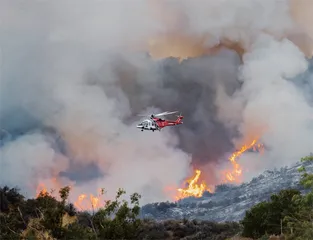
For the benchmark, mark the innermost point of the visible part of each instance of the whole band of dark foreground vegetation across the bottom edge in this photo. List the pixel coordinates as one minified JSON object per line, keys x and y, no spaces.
{"x":288,"y":213}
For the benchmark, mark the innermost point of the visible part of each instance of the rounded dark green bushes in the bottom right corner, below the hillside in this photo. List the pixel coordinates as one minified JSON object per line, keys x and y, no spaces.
{"x":288,"y":213}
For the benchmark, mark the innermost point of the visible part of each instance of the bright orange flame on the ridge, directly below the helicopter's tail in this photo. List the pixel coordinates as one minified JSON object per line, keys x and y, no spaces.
{"x":193,"y":189}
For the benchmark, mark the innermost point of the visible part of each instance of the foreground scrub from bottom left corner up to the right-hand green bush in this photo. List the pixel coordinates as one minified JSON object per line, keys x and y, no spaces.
{"x":47,"y":218}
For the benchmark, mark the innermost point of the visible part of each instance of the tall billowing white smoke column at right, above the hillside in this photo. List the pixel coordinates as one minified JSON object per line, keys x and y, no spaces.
{"x":275,"y":104}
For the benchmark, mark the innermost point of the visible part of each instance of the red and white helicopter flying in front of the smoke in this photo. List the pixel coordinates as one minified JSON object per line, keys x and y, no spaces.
{"x":156,"y":123}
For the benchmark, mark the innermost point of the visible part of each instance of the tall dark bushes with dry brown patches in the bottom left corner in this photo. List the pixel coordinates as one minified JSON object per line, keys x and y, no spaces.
{"x":45,"y":216}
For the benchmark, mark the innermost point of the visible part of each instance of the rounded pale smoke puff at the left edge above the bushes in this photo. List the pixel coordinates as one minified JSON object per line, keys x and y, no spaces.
{"x":27,"y":159}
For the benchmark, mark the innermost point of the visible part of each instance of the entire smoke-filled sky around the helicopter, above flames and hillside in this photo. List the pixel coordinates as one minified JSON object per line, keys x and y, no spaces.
{"x":74,"y":75}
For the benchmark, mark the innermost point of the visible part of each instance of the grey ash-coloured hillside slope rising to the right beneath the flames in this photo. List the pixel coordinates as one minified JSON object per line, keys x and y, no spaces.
{"x":229,"y":202}
